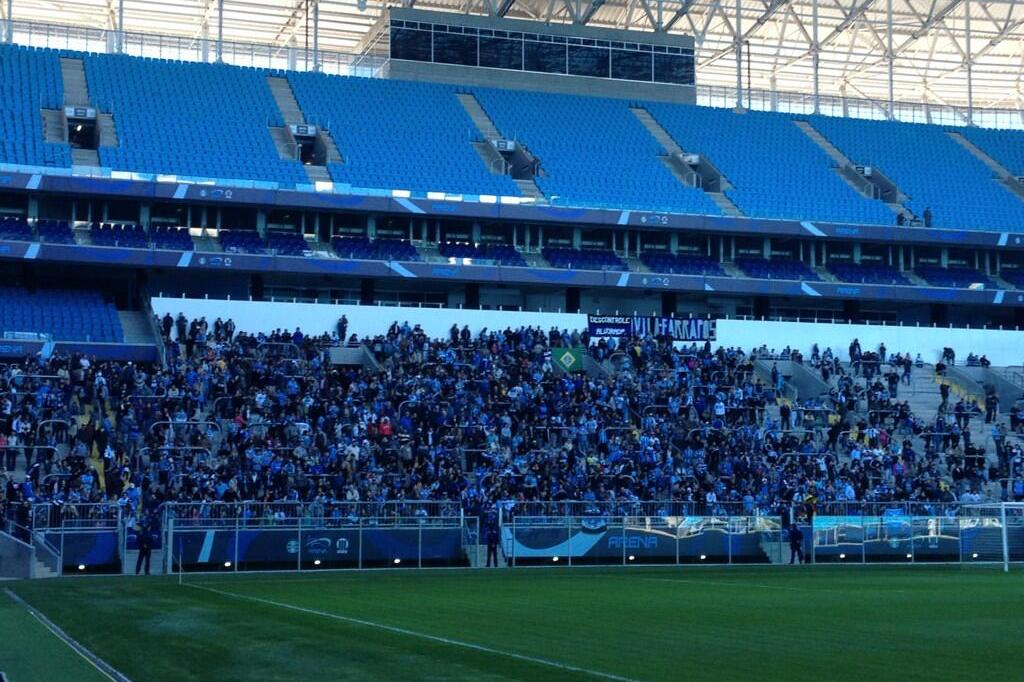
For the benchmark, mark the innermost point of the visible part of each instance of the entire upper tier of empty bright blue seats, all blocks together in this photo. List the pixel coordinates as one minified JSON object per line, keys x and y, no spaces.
{"x":211,"y":121}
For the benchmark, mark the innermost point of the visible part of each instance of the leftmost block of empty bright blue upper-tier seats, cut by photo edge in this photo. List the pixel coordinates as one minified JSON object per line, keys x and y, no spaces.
{"x":30,"y":80}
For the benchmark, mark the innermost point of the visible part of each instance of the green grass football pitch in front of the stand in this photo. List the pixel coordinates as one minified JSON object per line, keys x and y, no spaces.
{"x":546,"y":624}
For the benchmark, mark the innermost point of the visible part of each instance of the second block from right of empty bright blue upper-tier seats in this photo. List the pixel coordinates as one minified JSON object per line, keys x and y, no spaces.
{"x":933,"y":170}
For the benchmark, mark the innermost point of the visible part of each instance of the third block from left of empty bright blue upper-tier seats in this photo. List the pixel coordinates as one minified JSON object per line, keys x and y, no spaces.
{"x":399,"y":135}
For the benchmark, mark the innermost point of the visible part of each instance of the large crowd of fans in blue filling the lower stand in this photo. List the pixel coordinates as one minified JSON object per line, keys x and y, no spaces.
{"x":473,"y":420}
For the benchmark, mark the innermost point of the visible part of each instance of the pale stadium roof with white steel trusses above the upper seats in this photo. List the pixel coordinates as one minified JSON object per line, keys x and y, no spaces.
{"x":937,"y":48}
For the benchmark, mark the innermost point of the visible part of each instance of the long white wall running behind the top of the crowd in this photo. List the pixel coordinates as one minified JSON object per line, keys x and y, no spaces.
{"x":1002,"y":348}
